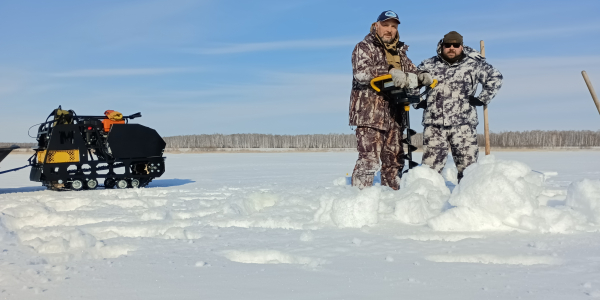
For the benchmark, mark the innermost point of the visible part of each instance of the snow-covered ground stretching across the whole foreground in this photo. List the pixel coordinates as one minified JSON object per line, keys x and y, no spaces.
{"x":284,"y":226}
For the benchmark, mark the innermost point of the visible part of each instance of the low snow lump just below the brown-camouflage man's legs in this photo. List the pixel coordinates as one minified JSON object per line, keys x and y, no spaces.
{"x":350,"y":207}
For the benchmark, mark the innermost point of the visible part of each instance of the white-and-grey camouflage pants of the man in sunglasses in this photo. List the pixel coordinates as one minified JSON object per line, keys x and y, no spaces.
{"x":462,"y":141}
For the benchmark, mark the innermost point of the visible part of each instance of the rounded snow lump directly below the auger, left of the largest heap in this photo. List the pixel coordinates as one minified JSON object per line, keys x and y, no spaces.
{"x":422,"y":196}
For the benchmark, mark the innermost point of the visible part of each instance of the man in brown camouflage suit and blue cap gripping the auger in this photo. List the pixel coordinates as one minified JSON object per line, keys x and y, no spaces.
{"x":379,"y":124}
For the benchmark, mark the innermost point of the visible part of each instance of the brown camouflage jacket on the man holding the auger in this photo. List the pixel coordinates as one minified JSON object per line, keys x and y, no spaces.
{"x":367,"y":107}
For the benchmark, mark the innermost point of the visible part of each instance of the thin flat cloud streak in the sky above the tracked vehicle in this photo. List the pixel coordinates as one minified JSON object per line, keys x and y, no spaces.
{"x":122,"y":72}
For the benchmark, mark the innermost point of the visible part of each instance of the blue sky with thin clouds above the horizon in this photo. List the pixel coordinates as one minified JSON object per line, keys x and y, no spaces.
{"x":280,"y":67}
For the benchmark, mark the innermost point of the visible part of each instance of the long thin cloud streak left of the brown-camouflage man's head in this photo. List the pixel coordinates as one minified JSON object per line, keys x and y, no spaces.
{"x":274,"y":46}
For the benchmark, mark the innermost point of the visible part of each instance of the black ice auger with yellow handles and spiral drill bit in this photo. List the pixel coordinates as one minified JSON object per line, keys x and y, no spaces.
{"x":401,"y":97}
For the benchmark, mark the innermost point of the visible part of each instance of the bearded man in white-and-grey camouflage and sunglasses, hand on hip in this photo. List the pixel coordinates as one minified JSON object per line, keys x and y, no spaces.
{"x":450,"y":116}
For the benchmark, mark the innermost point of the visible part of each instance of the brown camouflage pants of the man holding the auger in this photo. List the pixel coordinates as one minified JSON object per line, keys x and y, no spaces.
{"x":374,"y":145}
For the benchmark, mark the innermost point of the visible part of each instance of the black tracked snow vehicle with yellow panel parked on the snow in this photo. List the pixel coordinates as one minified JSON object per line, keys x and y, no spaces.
{"x":74,"y":152}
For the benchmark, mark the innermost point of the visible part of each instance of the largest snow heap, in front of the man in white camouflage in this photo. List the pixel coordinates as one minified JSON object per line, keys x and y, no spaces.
{"x":502,"y":195}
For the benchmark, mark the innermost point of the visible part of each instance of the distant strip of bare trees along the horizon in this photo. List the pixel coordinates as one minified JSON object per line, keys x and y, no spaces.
{"x":508,"y":139}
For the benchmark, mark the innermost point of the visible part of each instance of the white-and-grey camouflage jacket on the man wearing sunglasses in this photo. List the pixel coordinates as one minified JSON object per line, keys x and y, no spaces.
{"x":448,"y":103}
